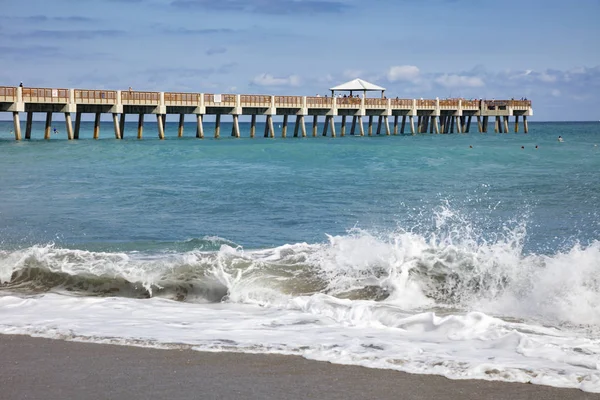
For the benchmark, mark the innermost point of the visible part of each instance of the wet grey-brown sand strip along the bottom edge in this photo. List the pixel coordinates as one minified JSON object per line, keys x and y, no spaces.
{"x":34,"y":368}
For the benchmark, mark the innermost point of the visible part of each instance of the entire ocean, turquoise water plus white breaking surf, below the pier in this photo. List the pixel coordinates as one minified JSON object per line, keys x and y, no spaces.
{"x":472,"y":256}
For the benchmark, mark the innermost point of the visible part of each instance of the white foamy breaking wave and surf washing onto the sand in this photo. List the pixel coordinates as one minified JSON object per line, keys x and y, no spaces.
{"x":448,"y":303}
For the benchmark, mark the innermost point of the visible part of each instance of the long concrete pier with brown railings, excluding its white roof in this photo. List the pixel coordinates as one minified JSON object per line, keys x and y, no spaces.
{"x":412,"y":116}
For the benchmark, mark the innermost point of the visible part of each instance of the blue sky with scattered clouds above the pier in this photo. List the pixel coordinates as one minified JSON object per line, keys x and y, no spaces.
{"x":548,"y":51}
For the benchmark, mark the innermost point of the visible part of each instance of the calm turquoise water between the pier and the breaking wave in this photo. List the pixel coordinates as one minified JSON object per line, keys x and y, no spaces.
{"x":262,"y":193}
